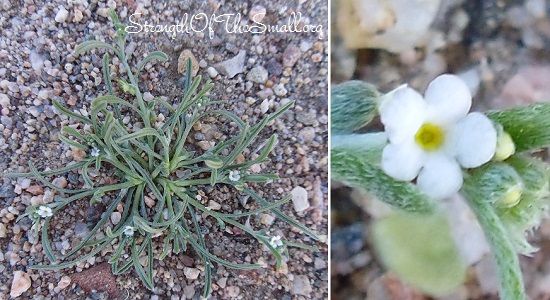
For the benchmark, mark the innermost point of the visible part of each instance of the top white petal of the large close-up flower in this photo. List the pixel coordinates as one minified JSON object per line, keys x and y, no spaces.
{"x":448,"y":98}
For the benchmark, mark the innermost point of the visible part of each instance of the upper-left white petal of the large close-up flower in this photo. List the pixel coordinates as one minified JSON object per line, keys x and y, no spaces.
{"x":402,"y":114}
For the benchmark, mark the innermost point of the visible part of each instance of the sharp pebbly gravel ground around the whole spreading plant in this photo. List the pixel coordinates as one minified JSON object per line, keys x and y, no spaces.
{"x":255,"y":73}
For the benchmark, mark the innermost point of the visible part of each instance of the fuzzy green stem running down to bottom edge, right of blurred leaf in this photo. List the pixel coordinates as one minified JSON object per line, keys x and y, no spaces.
{"x":504,"y":254}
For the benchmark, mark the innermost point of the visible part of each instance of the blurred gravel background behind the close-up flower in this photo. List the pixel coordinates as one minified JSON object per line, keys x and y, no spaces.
{"x":501,"y":49}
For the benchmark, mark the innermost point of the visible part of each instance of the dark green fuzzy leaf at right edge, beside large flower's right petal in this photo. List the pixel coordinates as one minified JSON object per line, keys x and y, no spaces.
{"x":529,"y":126}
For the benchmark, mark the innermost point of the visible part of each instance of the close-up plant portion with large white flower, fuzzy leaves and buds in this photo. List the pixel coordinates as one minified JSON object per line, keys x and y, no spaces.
{"x":431,"y":147}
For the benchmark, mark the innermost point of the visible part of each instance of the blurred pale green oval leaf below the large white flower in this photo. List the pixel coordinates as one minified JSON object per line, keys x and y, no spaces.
{"x":421,"y":250}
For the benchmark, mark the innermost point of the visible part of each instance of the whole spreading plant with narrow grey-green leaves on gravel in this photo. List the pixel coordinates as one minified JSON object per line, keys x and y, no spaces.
{"x":156,"y":159}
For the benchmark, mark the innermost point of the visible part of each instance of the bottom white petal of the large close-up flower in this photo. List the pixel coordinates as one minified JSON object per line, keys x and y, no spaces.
{"x":441,"y":176}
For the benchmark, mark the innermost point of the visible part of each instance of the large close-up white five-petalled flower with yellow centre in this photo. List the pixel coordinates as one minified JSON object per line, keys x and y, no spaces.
{"x":433,"y":138}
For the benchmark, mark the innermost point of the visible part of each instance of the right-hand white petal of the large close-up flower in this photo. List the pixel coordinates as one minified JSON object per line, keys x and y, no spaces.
{"x":474,"y":140}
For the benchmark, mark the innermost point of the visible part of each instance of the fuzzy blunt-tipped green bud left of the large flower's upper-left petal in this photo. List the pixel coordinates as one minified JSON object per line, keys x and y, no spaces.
{"x":353,"y":105}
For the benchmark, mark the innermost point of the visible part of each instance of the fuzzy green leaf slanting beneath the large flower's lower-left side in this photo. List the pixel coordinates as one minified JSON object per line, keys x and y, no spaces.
{"x":355,"y":171}
